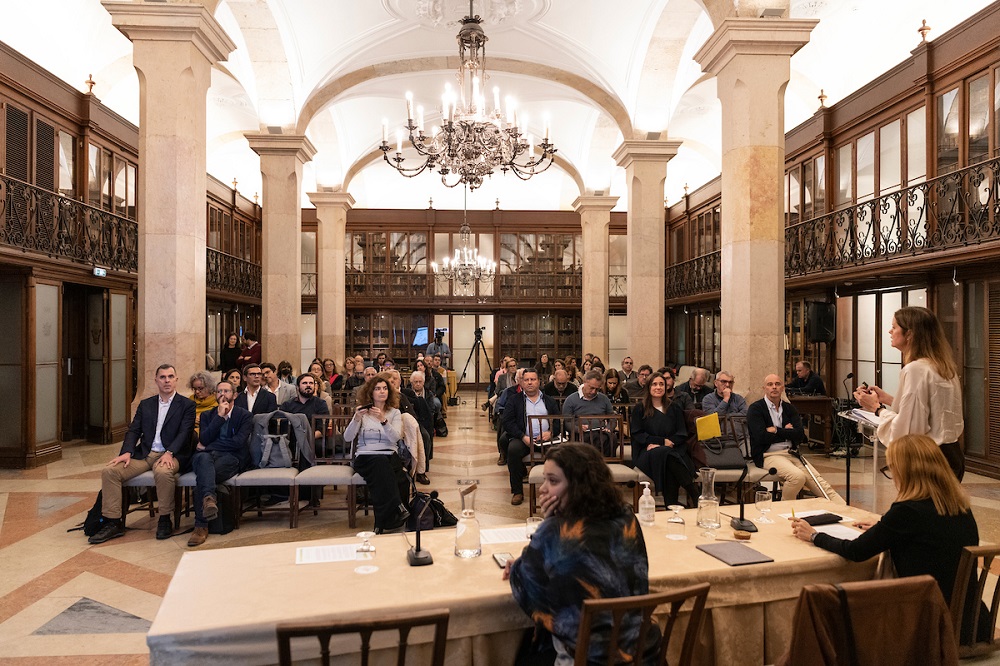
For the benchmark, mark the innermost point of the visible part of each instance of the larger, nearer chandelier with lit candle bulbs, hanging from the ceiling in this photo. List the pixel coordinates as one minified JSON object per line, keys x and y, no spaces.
{"x":471,"y":142}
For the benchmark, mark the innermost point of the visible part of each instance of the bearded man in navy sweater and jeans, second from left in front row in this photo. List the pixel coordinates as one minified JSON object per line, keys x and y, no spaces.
{"x":223,"y":451}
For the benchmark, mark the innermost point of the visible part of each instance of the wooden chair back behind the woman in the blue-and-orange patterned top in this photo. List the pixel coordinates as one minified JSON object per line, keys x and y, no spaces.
{"x":645,"y":604}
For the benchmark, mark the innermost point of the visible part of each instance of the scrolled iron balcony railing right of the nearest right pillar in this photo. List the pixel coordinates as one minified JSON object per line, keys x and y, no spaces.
{"x":950,"y":211}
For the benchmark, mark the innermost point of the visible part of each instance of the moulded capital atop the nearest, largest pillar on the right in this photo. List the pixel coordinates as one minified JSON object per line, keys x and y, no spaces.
{"x":754,"y":37}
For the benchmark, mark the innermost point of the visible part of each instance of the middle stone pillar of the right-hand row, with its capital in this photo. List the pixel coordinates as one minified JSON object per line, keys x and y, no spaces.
{"x":645,"y":165}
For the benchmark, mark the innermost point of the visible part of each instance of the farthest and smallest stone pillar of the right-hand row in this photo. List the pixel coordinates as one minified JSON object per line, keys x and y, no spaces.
{"x":595,"y":218}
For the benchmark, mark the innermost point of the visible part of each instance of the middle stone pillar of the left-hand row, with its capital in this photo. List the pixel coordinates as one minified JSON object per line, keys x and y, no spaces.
{"x":281,"y":160}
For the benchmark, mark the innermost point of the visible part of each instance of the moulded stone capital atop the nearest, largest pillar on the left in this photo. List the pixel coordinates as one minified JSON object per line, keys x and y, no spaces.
{"x":172,"y":22}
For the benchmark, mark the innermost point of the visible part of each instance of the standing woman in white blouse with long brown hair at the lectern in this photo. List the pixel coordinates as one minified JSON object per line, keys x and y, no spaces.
{"x":930,"y":395}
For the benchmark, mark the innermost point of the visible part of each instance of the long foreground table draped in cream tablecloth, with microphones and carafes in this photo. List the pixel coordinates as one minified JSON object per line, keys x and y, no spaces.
{"x":222,"y":605}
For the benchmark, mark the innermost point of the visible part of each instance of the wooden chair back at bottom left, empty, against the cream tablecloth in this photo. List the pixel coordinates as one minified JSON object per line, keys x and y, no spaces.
{"x":324,"y":630}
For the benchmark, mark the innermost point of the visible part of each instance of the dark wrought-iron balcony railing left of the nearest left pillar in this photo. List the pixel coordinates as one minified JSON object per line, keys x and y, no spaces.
{"x":36,"y":220}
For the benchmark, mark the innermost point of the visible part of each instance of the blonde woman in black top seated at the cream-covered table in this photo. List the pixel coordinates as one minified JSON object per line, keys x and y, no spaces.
{"x":924,"y":530}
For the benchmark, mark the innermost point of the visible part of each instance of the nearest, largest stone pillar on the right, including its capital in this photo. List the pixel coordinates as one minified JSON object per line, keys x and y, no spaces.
{"x":751,"y":61}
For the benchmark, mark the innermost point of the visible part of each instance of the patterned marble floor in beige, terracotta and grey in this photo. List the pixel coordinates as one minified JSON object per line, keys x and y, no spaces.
{"x":64,"y":601}
